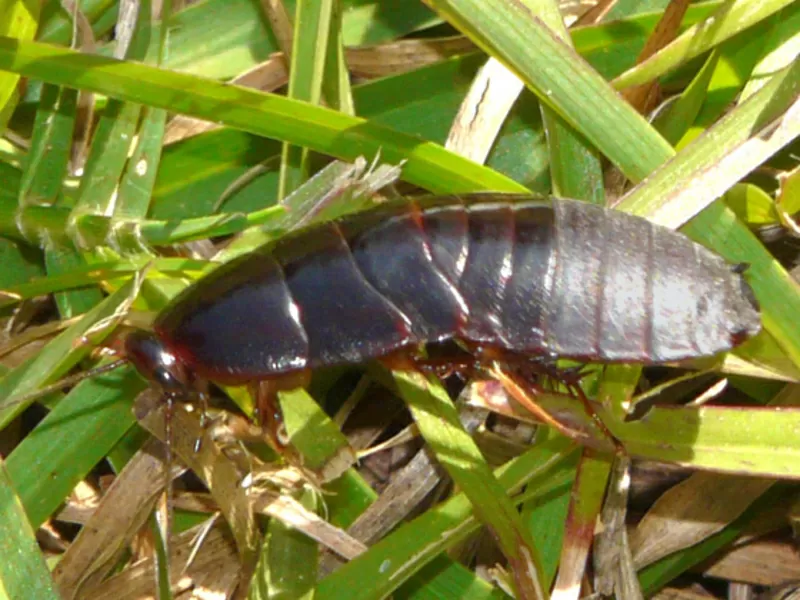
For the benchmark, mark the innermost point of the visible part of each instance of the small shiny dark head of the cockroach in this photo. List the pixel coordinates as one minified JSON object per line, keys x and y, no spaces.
{"x":156,"y":363}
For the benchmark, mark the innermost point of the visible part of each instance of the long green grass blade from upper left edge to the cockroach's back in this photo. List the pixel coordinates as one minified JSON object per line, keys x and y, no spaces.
{"x":318,"y":128}
